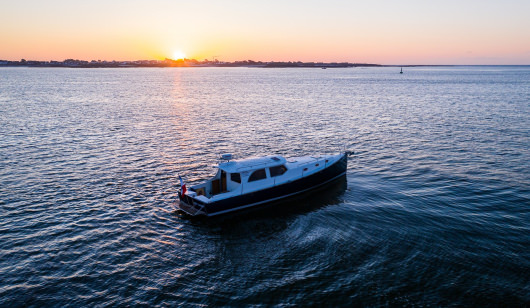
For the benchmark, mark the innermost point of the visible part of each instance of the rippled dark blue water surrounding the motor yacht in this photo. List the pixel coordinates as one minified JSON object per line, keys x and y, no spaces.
{"x":434,"y":211}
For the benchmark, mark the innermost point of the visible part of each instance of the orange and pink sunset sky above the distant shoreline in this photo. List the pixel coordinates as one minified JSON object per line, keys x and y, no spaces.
{"x":378,"y":31}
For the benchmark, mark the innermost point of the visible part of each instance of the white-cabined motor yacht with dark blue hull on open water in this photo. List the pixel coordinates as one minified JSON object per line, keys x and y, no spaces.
{"x":251,"y":182}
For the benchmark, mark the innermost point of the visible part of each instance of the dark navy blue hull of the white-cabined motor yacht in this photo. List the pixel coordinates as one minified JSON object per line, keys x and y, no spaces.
{"x":272,"y":194}
